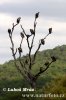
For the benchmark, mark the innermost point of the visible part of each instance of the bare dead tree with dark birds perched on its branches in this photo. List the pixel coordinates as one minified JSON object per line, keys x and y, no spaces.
{"x":29,"y":60}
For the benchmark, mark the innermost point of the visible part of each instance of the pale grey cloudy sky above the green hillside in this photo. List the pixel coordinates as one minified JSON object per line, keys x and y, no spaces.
{"x":52,"y":14}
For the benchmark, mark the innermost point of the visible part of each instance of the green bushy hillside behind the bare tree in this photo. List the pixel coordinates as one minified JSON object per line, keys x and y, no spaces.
{"x":52,"y":81}
